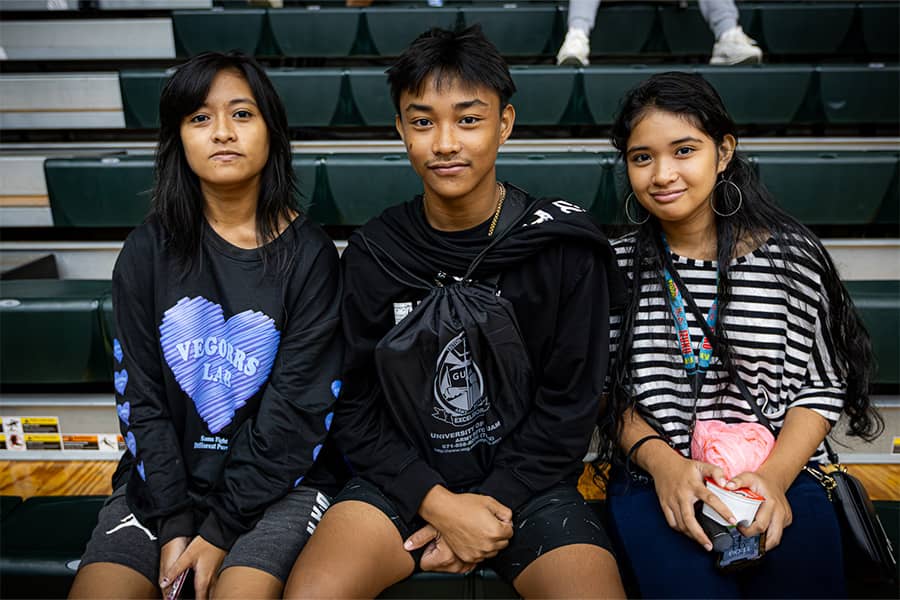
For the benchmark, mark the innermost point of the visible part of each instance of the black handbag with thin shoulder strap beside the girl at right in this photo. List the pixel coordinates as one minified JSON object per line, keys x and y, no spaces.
{"x":869,"y":555}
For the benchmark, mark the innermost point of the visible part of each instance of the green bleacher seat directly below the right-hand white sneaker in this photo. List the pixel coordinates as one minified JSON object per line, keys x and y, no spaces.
{"x":761,"y":94}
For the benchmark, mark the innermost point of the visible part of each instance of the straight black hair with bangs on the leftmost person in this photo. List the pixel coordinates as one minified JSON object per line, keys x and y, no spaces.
{"x":177,"y":199}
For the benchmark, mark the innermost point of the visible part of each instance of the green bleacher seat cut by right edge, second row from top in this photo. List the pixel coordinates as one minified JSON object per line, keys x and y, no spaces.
{"x":861,"y":94}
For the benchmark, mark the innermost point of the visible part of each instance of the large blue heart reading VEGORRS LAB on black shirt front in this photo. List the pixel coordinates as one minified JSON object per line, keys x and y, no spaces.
{"x":220,"y":364}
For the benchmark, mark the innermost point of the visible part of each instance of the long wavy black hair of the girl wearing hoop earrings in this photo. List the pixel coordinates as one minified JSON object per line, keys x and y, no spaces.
{"x":758,"y":219}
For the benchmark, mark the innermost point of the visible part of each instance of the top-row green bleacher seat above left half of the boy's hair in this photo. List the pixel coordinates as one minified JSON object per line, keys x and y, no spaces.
{"x":394,"y":28}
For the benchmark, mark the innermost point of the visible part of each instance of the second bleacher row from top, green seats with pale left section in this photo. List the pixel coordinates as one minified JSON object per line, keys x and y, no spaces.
{"x":768,"y":96}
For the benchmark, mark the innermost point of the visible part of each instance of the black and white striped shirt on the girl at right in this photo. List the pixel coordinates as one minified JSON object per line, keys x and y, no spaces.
{"x":774,"y":323}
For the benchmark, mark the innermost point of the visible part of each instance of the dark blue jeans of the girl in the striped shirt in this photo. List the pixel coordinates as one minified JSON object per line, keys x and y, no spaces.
{"x":808,"y":563}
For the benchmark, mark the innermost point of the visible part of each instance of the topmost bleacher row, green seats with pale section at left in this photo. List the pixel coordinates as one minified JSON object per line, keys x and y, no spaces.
{"x":519,"y":29}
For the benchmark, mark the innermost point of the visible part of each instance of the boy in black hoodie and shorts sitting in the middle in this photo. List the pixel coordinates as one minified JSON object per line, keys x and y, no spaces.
{"x":449,"y":479}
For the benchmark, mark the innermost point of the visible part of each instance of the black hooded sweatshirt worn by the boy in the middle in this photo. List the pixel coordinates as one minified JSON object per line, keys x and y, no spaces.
{"x":557,"y":270}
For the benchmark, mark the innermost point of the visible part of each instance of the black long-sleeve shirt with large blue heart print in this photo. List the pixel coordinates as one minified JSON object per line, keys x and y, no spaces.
{"x":224,"y":377}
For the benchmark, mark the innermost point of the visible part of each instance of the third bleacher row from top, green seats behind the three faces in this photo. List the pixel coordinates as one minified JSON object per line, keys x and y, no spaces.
{"x":851,"y":187}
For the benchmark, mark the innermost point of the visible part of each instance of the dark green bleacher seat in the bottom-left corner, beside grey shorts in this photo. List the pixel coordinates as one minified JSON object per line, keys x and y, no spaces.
{"x":42,"y":542}
